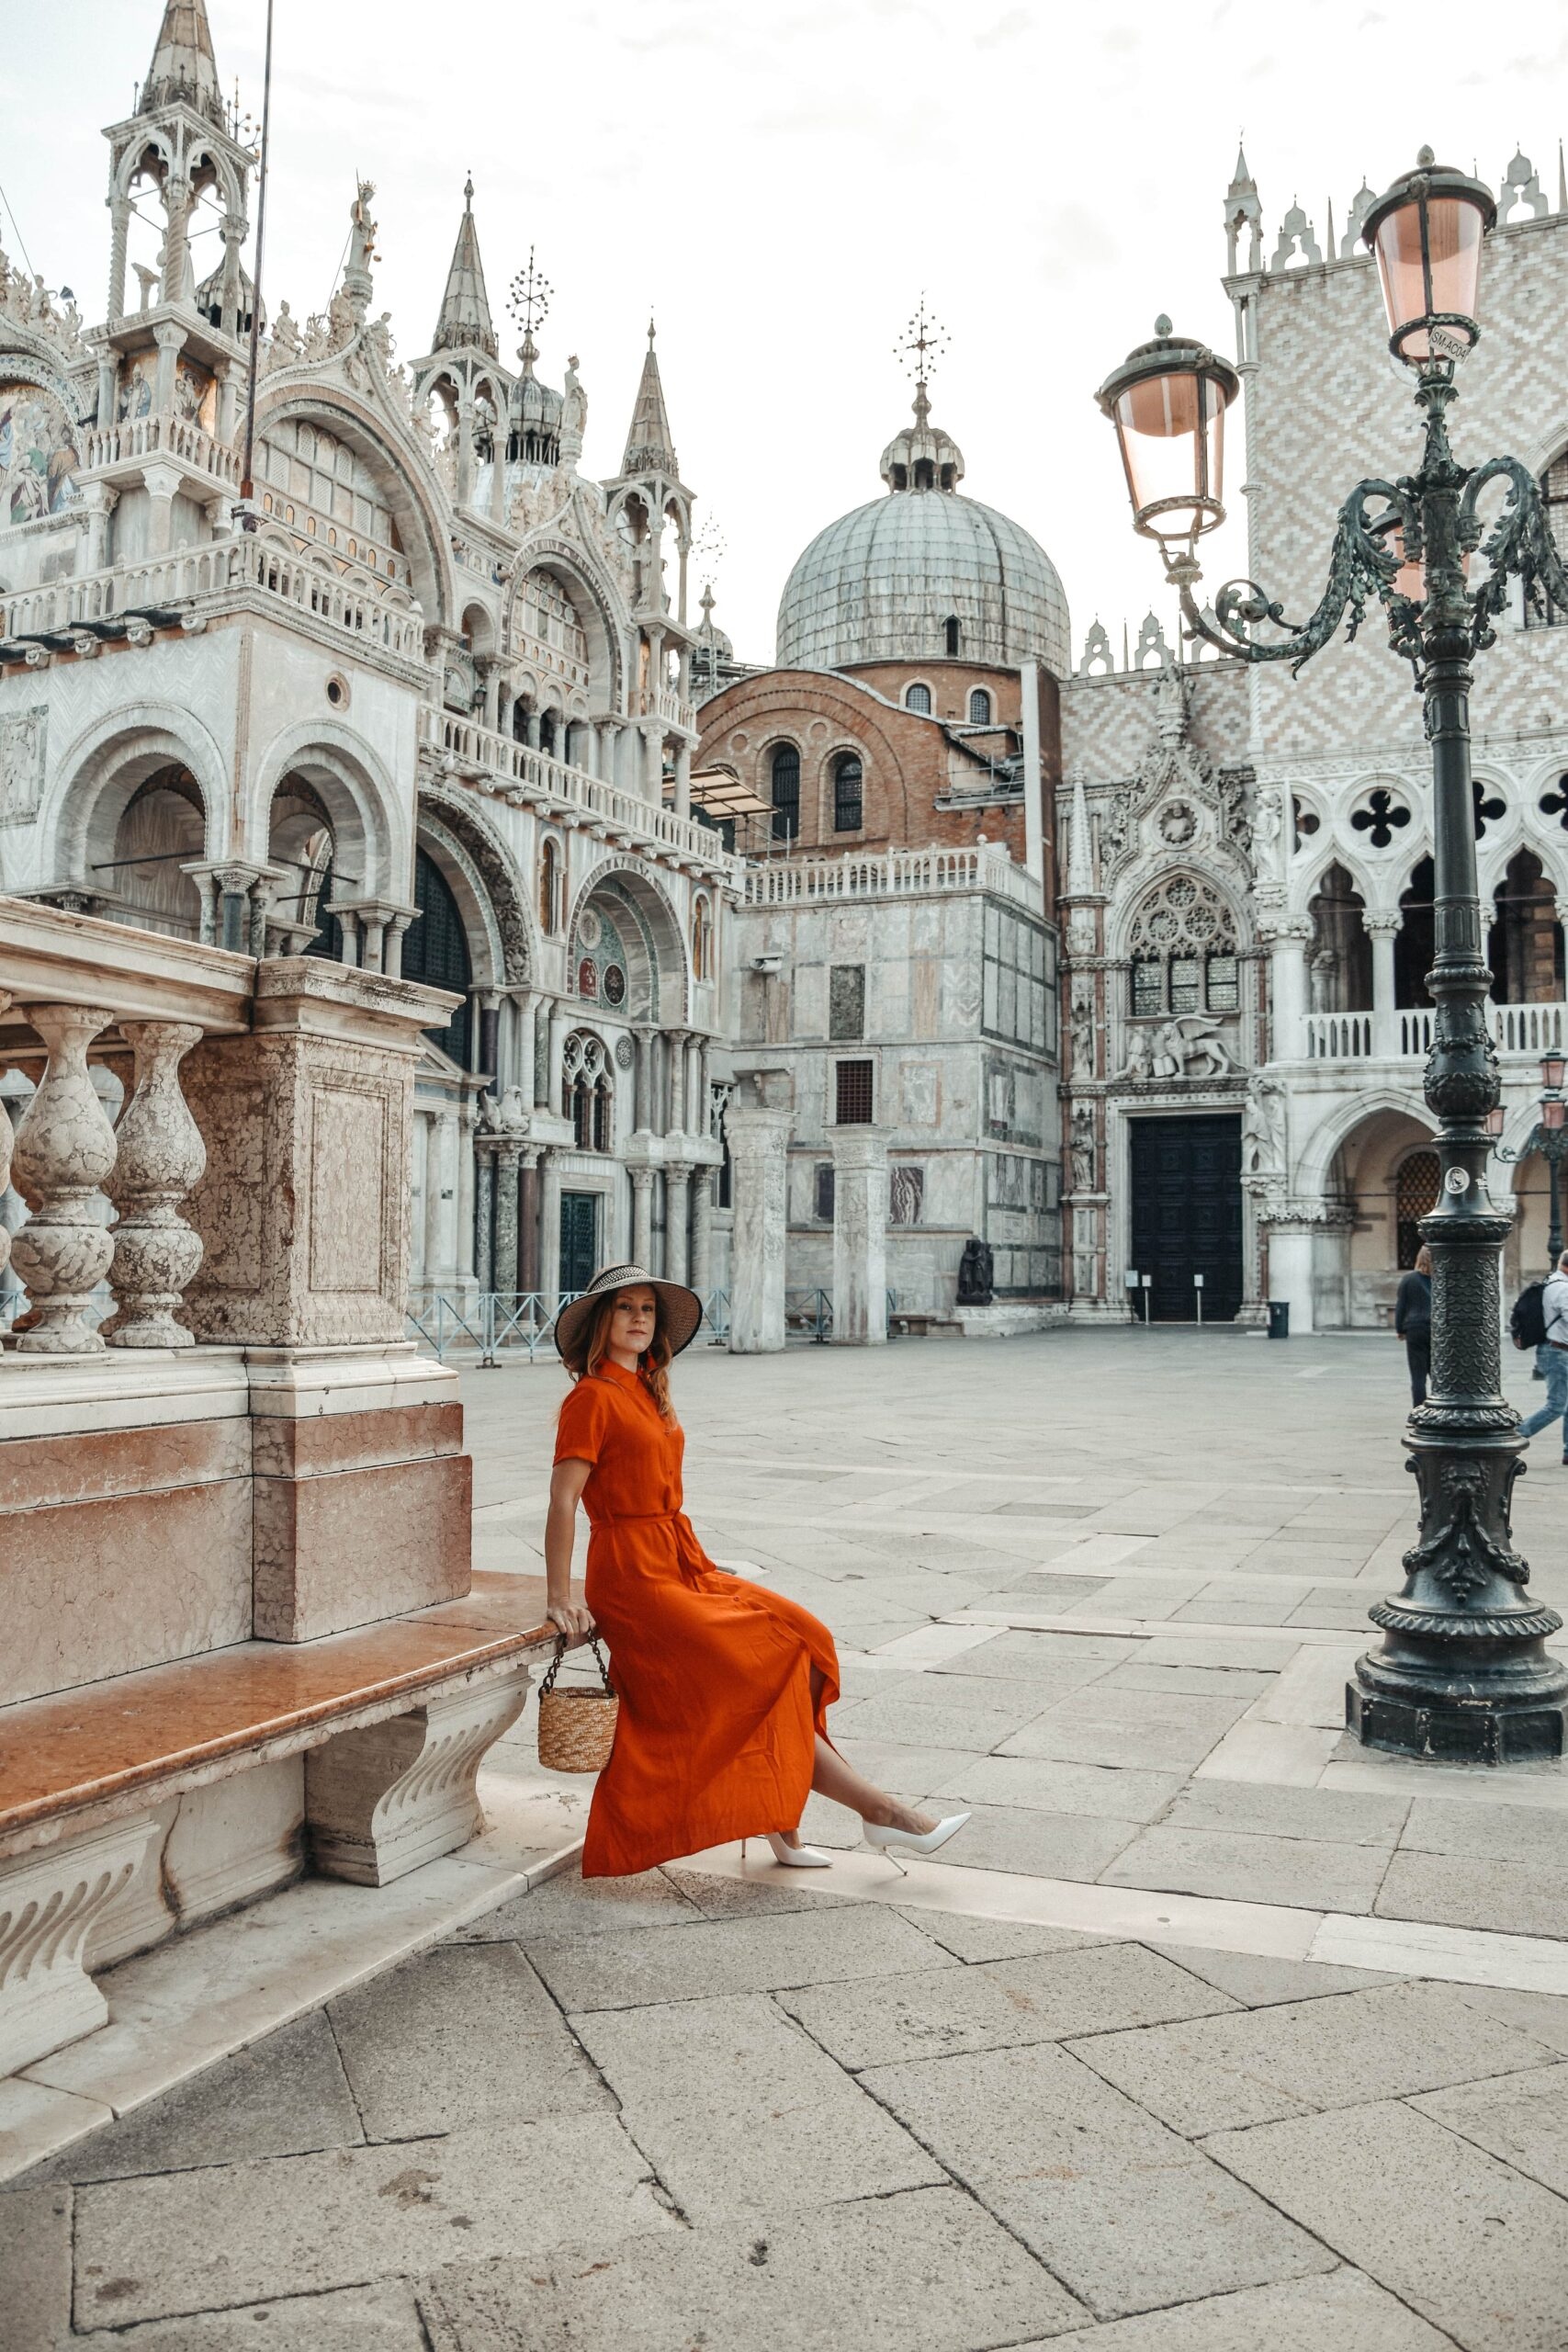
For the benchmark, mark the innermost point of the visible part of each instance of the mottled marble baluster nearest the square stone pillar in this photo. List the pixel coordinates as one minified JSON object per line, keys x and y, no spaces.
{"x":161,"y":1161}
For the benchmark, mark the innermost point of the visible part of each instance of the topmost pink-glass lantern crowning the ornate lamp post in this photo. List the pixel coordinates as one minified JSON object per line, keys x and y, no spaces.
{"x":1428,"y":239}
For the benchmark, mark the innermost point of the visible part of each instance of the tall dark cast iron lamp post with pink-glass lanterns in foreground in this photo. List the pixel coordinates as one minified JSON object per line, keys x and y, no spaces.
{"x":1463,"y":1671}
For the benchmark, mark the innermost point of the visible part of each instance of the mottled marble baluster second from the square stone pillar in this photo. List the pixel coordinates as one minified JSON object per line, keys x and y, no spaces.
{"x":65,"y":1154}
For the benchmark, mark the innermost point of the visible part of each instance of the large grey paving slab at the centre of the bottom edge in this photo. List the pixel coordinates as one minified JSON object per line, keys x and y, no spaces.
{"x":918,"y":2273}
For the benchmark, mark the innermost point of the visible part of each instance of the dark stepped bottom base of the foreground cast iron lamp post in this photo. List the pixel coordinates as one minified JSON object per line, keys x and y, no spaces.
{"x":1463,"y":1706}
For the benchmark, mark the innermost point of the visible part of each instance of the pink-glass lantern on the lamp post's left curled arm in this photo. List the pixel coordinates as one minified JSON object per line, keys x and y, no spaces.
{"x":1167,"y":403}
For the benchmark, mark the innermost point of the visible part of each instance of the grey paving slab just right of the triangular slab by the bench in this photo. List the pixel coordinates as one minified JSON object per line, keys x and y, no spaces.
{"x":455,"y":2036}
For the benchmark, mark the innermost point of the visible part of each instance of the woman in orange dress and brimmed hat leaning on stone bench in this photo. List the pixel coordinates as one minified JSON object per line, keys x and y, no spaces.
{"x":725,"y":1688}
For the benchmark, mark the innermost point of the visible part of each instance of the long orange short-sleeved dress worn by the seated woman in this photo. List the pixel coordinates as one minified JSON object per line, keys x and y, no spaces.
{"x":718,"y":1732}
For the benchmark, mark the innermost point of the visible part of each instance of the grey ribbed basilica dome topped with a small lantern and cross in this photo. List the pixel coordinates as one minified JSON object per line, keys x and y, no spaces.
{"x":890,"y":580}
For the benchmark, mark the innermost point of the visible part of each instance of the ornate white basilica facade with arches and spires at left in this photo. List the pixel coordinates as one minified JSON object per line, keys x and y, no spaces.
{"x":420,"y":704}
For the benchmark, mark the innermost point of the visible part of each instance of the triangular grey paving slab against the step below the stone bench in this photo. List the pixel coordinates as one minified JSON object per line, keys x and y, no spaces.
{"x":276,"y":2099}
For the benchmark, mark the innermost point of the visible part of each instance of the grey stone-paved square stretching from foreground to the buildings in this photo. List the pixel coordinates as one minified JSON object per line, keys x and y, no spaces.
{"x":1209,"y":2033}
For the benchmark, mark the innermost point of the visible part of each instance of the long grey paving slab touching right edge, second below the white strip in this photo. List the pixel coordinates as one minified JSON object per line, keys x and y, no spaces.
{"x":1339,"y":2052}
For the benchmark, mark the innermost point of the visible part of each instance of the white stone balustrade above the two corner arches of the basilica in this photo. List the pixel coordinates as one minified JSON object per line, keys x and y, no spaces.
{"x":203,"y":582}
